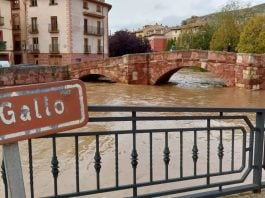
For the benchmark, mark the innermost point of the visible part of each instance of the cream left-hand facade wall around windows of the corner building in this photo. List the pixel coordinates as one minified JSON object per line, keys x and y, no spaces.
{"x":43,"y":12}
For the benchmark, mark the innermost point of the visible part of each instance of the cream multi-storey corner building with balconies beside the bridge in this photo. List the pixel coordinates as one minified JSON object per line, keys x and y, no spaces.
{"x":59,"y":32}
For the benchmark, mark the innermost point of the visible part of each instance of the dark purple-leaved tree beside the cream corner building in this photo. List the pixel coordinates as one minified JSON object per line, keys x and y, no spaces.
{"x":124,"y":42}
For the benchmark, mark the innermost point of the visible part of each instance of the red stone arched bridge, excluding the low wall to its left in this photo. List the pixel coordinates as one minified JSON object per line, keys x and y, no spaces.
{"x":240,"y":70}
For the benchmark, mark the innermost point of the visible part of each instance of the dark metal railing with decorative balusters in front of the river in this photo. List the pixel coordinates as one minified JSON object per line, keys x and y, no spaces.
{"x":189,"y":152}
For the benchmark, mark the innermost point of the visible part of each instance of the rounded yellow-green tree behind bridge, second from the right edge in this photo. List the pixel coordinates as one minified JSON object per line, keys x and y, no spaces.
{"x":226,"y":37}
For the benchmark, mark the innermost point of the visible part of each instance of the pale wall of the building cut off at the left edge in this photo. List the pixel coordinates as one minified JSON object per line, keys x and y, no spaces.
{"x":5,"y":11}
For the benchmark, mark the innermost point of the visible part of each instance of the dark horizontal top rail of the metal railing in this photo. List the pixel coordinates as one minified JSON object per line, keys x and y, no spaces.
{"x":100,"y":108}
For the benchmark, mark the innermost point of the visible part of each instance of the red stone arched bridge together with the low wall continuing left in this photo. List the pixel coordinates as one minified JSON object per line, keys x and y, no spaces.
{"x":240,"y":70}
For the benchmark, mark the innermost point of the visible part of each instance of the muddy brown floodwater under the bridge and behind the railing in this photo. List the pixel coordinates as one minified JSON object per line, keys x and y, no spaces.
{"x":186,"y":88}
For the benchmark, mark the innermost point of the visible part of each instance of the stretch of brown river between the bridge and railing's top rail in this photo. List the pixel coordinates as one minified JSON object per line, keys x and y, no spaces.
{"x":186,"y":89}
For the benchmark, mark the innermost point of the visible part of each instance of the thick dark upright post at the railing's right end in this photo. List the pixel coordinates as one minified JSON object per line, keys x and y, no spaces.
{"x":259,"y":135}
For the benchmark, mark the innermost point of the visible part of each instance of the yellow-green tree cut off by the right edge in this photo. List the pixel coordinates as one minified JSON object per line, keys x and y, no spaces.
{"x":252,"y":39}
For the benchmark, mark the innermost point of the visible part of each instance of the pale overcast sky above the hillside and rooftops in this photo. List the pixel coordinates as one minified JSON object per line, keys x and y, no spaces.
{"x":133,"y":14}
